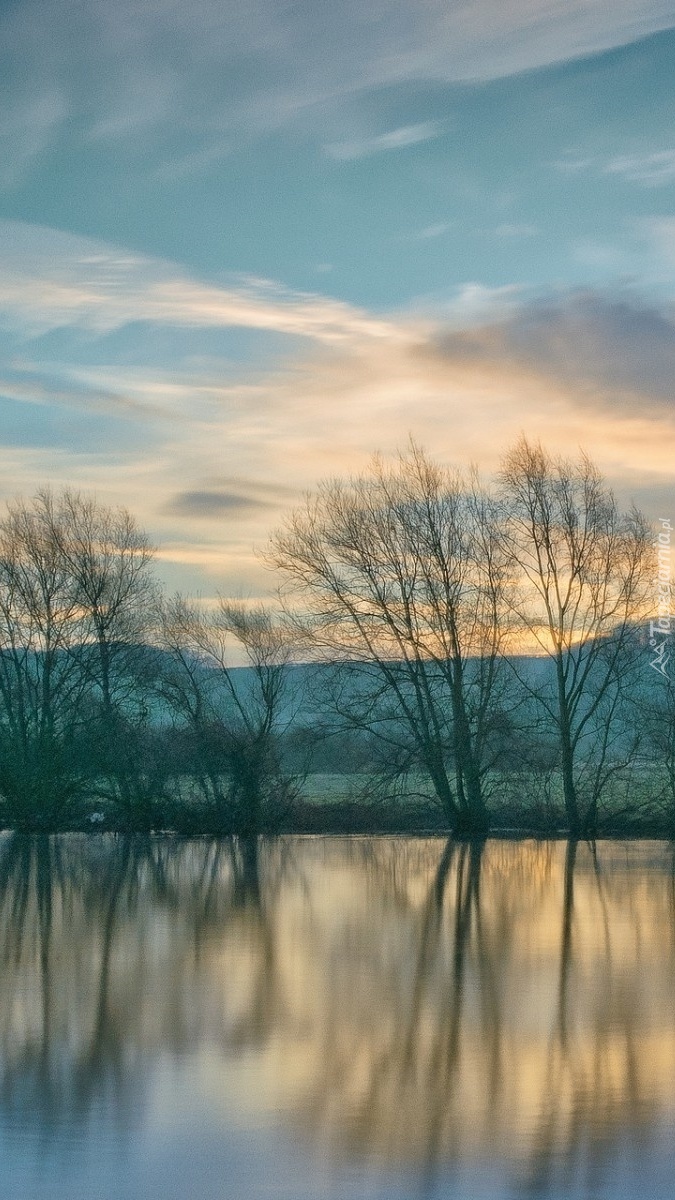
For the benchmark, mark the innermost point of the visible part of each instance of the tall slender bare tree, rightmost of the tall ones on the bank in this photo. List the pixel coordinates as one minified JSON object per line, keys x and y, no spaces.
{"x":583,"y":569}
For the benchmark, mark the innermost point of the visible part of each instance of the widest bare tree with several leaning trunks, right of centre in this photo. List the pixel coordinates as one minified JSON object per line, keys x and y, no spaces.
{"x":402,"y":577}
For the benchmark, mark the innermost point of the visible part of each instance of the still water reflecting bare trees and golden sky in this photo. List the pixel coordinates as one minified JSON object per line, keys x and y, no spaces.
{"x":331,"y":1019}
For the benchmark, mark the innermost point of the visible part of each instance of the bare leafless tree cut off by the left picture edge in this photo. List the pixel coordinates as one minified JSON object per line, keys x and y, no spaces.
{"x":76,"y":593}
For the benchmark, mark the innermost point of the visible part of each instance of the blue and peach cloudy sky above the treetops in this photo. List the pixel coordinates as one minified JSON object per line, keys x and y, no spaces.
{"x":246,"y":245}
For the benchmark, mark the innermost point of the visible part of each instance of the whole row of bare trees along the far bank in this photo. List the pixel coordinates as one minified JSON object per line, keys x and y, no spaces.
{"x":469,"y":643}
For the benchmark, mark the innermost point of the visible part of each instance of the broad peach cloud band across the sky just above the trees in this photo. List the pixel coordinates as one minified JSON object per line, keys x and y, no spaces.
{"x":220,"y":449}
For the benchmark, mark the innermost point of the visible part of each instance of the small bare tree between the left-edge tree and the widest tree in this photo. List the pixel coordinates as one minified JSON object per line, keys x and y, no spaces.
{"x":234,"y":718}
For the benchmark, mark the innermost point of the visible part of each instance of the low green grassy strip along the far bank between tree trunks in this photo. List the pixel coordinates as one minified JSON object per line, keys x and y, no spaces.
{"x":638,"y":803}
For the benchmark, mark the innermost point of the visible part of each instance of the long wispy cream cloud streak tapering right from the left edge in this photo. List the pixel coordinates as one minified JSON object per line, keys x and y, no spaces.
{"x":51,"y":280}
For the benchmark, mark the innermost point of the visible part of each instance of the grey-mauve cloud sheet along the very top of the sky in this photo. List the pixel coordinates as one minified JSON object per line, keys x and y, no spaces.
{"x":218,"y":70}
